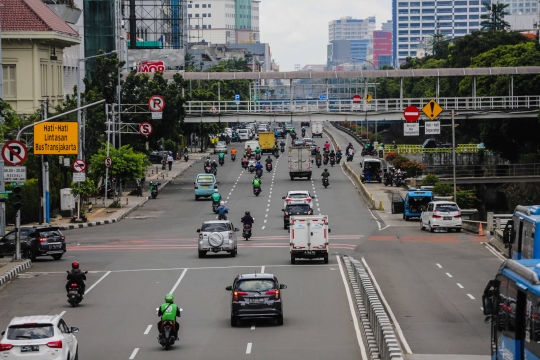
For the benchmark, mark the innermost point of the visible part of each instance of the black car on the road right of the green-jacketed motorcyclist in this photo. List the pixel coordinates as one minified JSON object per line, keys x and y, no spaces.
{"x":256,"y":295}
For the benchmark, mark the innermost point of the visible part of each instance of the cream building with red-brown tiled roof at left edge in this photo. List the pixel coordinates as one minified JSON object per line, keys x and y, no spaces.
{"x":33,"y":42}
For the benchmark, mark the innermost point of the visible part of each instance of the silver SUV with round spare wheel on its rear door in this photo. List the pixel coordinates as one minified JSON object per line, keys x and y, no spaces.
{"x":216,"y":236}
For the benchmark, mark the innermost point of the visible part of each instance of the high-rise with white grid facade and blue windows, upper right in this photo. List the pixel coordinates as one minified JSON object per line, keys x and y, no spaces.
{"x":415,"y":21}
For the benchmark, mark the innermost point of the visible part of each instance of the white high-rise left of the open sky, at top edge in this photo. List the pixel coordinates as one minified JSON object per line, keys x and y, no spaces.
{"x":223,"y":21}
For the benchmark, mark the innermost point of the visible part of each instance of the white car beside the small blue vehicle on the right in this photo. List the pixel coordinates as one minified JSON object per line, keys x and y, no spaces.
{"x":441,"y":215}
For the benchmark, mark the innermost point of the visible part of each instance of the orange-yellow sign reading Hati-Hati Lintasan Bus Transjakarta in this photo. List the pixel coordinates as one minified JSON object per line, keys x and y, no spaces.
{"x":56,"y":138}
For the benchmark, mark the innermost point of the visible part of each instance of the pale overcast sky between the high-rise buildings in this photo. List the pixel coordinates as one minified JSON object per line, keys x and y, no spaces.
{"x":297,"y":30}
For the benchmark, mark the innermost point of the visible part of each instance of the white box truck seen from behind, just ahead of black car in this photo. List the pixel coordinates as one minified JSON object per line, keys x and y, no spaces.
{"x":309,"y":237}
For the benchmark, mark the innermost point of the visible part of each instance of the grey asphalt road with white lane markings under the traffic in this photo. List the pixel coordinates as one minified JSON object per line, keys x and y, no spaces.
{"x":134,"y":263}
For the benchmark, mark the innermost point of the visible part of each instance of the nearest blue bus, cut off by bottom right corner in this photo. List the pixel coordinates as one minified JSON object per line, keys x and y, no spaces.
{"x":511,"y":303}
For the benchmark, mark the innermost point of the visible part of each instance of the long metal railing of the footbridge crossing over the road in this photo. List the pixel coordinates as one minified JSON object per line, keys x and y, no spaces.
{"x":307,"y":106}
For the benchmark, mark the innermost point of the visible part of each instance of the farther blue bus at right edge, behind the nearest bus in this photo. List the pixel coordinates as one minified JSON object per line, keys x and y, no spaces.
{"x":522,"y":233}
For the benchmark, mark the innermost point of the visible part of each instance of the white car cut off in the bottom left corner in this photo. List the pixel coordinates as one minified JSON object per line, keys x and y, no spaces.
{"x":39,"y":337}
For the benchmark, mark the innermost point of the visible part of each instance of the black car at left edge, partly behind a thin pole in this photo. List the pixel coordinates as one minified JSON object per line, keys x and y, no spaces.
{"x":35,"y":241}
